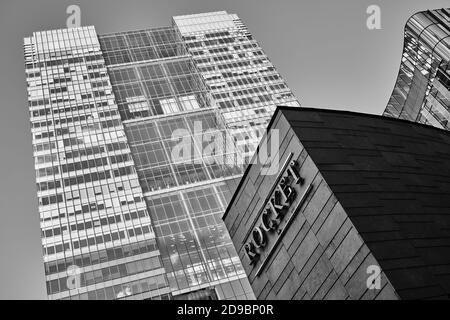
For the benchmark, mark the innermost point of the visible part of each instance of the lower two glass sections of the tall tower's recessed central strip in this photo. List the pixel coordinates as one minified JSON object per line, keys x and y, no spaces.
{"x":186,"y":202}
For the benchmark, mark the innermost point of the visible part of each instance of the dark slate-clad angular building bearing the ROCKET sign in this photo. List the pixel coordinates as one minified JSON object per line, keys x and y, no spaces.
{"x":359,"y":208}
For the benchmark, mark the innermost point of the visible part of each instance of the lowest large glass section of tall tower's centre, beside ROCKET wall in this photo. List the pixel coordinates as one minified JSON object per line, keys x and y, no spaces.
{"x":195,"y":246}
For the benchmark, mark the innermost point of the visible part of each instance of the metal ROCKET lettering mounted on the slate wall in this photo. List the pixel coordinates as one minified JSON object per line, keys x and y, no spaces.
{"x":274,"y":211}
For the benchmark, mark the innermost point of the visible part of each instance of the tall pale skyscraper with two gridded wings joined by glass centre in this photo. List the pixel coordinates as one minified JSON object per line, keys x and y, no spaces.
{"x":121,"y":216}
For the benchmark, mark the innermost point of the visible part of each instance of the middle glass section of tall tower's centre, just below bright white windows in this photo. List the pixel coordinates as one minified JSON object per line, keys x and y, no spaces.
{"x":152,"y":144}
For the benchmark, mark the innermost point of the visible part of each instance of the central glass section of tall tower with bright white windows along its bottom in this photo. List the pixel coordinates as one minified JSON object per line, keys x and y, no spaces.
{"x":157,"y":88}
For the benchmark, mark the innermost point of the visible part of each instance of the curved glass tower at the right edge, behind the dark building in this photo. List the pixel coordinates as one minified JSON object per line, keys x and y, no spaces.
{"x":422,"y":90}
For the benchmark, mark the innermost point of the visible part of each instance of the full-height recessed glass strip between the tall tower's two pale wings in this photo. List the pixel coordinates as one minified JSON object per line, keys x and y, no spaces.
{"x":157,"y":98}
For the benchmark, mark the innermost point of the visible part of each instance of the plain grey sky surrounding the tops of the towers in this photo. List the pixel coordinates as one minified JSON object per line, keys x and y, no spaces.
{"x":323,"y":49}
